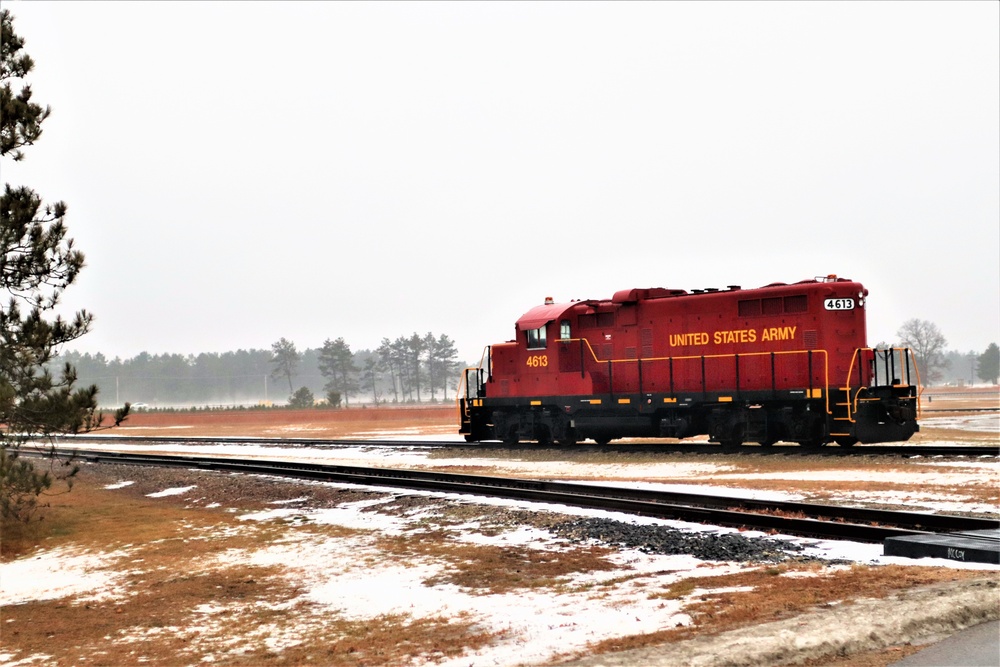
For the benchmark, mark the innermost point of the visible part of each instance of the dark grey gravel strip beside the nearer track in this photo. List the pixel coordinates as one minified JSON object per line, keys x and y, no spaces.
{"x":670,"y":541}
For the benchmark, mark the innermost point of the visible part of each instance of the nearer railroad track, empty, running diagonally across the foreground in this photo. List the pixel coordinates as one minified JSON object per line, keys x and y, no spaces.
{"x":793,"y":518}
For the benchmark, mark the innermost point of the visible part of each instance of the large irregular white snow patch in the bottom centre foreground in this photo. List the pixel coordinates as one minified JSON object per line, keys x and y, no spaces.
{"x":338,"y":574}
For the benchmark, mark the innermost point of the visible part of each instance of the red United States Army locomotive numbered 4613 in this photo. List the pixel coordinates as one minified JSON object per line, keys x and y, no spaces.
{"x":785,"y":362}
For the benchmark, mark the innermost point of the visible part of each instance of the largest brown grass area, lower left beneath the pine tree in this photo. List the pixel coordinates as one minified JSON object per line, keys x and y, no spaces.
{"x":171,"y":570}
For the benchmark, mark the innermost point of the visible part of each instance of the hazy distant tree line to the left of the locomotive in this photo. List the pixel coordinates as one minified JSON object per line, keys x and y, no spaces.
{"x":409,"y":369}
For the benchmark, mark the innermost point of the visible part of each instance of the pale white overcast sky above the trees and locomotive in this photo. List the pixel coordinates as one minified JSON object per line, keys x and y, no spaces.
{"x":238,"y":172}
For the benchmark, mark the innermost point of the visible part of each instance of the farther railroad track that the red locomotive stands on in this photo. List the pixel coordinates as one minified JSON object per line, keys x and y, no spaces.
{"x":663,"y":447}
